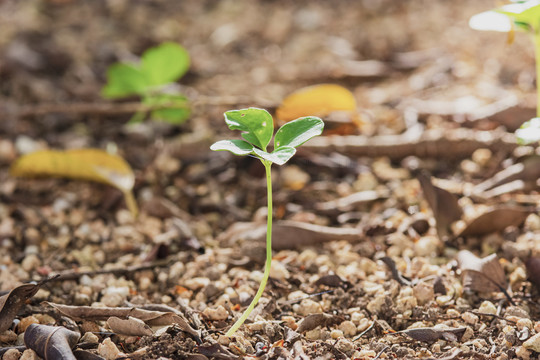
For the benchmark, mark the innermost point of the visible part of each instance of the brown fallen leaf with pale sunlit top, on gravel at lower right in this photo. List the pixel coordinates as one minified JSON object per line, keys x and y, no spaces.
{"x":482,"y":275}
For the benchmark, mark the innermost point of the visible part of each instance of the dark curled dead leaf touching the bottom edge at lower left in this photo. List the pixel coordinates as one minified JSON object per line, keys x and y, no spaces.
{"x":51,"y":342}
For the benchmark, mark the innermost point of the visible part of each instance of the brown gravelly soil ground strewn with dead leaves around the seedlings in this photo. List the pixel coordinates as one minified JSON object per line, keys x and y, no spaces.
{"x":367,"y":245}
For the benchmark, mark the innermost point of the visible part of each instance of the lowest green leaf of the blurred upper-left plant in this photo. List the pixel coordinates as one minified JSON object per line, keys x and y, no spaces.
{"x":177,"y":107}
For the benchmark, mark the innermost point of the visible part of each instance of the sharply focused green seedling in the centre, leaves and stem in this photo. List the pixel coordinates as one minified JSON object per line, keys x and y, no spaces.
{"x":257,"y":128}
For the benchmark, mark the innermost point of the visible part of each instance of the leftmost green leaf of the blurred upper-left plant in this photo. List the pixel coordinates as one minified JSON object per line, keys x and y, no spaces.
{"x":124,"y":80}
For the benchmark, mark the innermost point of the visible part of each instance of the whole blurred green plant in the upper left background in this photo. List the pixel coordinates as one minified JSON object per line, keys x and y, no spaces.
{"x":159,"y":67}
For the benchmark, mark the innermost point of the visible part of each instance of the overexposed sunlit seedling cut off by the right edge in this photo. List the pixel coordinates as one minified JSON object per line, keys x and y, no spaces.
{"x":522,"y":16}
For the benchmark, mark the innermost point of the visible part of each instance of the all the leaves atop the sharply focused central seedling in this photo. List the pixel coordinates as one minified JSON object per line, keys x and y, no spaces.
{"x":257,"y":126}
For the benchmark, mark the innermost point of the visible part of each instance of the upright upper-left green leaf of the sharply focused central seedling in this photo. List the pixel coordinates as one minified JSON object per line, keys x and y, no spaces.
{"x":257,"y":124}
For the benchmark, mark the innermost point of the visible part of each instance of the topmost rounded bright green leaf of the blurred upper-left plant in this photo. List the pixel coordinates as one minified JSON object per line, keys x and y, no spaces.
{"x":164,"y":63}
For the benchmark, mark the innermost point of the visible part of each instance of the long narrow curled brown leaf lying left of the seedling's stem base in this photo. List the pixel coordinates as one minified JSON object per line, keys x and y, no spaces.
{"x":152,"y":318}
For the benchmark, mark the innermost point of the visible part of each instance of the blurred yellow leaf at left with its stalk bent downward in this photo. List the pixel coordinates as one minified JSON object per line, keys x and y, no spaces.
{"x":80,"y":164}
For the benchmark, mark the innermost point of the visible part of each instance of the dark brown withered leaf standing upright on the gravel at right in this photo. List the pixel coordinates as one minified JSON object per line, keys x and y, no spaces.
{"x":443,"y":204}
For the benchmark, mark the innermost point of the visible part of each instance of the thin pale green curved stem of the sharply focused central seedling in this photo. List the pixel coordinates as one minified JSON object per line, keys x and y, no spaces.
{"x":267,"y":165}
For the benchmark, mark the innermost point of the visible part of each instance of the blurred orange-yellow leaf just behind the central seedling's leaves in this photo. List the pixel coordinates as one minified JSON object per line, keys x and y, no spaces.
{"x":317,"y":100}
